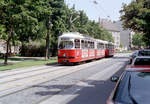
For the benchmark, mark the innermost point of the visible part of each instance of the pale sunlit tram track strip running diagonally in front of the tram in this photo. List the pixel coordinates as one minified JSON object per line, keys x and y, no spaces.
{"x":29,"y":81}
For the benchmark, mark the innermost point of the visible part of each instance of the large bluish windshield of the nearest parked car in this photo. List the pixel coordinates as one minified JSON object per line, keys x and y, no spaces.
{"x":133,"y":88}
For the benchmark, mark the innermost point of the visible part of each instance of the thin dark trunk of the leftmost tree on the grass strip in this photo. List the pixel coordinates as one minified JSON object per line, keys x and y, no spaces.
{"x":8,"y":45}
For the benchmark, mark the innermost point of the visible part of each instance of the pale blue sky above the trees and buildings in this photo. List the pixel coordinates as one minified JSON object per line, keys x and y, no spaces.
{"x":102,"y":8}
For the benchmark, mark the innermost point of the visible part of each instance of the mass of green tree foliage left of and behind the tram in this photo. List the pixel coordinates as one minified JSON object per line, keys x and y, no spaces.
{"x":30,"y":19}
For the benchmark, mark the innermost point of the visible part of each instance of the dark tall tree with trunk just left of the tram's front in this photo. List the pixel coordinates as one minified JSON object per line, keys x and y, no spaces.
{"x":58,"y":18}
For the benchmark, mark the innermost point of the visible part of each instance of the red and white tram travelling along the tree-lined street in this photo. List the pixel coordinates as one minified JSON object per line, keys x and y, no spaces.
{"x":76,"y":47}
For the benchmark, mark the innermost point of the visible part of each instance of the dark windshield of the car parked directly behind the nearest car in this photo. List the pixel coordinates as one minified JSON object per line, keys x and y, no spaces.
{"x":142,"y":61}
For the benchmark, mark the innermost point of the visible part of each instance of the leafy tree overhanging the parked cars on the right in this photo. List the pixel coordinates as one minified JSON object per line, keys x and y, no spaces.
{"x":136,"y":17}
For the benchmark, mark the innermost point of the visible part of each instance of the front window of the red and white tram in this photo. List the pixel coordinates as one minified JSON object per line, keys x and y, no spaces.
{"x":66,"y":45}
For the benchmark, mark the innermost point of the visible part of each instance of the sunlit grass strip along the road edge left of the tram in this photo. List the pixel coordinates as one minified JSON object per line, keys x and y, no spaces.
{"x":11,"y":66}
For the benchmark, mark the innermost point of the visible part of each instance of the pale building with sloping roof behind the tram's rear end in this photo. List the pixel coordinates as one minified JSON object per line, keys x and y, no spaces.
{"x":113,"y":29}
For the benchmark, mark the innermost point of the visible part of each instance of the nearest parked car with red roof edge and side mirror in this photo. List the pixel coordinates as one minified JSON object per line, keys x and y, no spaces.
{"x":133,"y":87}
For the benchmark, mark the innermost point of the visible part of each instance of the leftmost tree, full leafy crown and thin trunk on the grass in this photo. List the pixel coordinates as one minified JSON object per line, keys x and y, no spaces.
{"x":16,"y":18}
